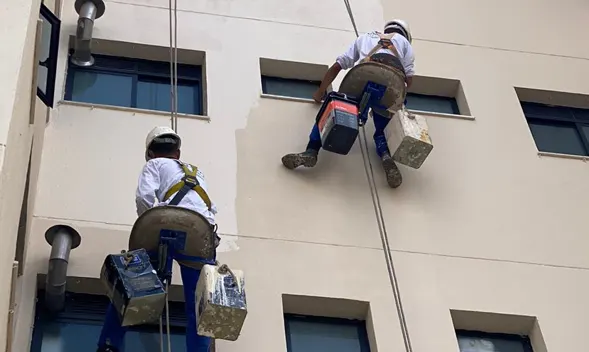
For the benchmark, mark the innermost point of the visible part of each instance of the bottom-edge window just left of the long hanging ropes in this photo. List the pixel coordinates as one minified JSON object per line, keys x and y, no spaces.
{"x":314,"y":334}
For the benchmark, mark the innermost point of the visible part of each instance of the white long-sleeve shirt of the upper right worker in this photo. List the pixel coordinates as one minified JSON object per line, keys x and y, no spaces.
{"x":366,"y":42}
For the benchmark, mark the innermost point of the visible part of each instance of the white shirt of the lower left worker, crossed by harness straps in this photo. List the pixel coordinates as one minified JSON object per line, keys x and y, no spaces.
{"x":157,"y":177}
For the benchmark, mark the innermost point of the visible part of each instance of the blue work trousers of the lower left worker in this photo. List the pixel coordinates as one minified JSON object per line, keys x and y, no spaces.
{"x":114,"y":333}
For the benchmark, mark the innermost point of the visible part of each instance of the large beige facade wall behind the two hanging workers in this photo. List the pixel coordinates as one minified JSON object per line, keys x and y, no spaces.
{"x":485,"y":225}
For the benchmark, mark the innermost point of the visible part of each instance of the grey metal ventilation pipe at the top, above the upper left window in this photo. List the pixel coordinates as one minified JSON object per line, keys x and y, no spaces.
{"x":88,"y":11}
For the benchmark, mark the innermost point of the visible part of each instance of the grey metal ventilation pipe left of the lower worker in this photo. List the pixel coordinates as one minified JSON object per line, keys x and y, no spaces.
{"x":62,"y":239}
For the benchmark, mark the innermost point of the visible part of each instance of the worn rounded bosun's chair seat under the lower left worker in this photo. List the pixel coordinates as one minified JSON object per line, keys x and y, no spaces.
{"x":200,"y":238}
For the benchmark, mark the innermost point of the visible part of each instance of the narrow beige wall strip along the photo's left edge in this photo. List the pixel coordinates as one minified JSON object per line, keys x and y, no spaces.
{"x":18,"y":26}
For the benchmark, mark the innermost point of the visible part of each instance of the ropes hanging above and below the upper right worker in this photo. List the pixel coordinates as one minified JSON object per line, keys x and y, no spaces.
{"x":380,"y":219}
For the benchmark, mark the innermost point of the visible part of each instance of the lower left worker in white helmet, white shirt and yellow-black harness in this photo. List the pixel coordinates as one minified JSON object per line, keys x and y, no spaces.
{"x":164,"y":180}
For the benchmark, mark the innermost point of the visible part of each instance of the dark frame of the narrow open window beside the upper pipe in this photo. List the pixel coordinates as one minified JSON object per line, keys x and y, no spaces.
{"x":48,"y":97}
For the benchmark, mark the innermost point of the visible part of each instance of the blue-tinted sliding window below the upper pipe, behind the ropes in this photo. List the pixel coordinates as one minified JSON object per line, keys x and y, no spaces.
{"x":135,"y":83}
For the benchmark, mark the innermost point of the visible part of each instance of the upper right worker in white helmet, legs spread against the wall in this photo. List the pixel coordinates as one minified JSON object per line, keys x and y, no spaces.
{"x":391,"y":48}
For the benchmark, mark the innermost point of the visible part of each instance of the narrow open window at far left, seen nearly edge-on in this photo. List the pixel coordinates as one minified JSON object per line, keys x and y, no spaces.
{"x":47,"y":53}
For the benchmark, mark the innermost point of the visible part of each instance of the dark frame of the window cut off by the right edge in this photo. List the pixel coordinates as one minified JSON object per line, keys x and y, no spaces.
{"x":567,"y":118}
